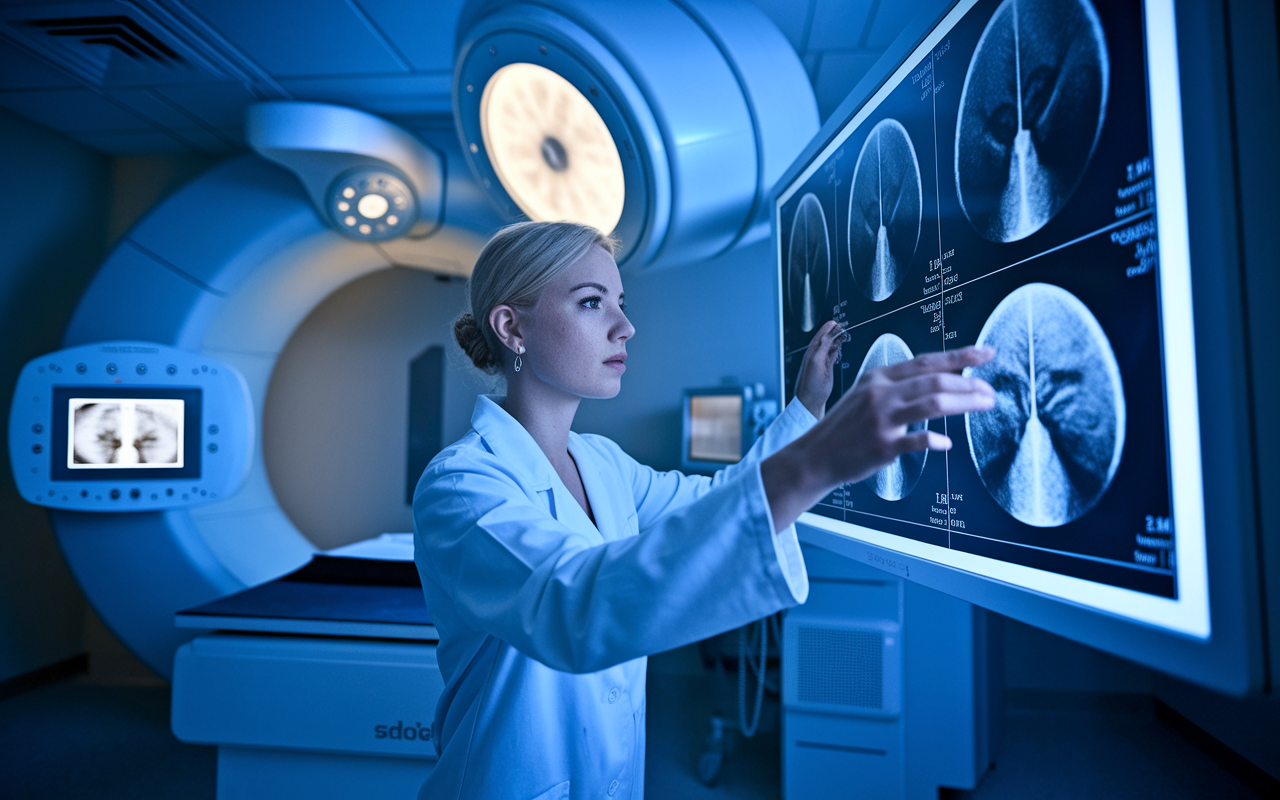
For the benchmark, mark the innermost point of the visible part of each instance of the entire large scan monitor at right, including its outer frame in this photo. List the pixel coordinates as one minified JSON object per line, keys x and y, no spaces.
{"x":1036,"y":177}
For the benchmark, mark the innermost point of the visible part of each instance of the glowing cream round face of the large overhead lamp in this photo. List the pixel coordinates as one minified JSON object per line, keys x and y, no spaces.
{"x":551,"y":149}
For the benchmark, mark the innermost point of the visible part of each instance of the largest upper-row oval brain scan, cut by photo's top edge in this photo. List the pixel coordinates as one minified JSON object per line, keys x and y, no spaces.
{"x":1031,"y":115}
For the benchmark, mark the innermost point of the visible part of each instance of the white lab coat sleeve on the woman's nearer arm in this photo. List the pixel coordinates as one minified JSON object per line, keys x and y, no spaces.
{"x":516,"y":573}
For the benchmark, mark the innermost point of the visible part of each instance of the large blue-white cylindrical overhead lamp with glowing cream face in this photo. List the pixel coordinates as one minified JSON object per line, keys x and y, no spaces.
{"x":665,"y":122}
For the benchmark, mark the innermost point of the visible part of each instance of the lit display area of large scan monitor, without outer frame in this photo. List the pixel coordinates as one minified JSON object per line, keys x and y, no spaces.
{"x":1018,"y":182}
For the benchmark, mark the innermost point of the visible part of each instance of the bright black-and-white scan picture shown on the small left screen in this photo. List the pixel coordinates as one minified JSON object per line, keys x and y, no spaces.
{"x":121,"y":433}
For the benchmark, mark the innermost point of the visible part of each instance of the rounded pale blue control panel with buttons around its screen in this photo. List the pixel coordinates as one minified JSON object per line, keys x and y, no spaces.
{"x":126,"y":427}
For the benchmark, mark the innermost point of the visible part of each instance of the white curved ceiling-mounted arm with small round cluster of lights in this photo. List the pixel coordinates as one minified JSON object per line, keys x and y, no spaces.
{"x":368,"y":179}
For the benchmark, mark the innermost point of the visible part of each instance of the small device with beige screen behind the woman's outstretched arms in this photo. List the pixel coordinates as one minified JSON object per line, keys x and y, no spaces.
{"x":721,"y":424}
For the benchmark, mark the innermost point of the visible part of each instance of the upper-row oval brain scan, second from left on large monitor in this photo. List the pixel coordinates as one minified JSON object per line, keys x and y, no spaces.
{"x":885,"y":211}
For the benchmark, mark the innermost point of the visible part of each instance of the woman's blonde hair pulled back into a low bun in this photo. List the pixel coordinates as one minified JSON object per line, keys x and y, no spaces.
{"x":513,"y":271}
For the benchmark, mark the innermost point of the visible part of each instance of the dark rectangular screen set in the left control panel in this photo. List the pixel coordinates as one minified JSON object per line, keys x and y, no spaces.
{"x":107,"y":433}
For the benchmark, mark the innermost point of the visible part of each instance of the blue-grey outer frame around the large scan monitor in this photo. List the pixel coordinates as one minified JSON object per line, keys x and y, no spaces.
{"x":1235,"y":656}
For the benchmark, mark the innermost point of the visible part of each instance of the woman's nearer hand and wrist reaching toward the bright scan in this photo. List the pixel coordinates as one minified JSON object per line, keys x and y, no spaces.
{"x":868,"y":428}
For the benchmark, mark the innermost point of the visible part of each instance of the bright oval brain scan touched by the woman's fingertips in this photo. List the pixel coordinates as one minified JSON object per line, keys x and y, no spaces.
{"x":1052,"y":446}
